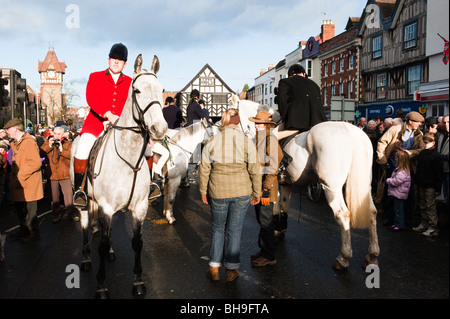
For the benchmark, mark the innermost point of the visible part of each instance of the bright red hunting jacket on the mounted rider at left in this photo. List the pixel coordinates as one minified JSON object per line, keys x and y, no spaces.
{"x":103,"y":95}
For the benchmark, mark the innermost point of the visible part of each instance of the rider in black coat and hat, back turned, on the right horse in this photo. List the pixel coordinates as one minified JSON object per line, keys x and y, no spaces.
{"x":299,"y":101}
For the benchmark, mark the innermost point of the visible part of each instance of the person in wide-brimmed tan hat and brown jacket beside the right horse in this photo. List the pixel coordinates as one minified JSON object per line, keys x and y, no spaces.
{"x":270,"y":156}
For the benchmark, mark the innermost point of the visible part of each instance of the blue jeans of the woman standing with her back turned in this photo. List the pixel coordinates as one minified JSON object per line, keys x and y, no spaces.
{"x":227,"y":219}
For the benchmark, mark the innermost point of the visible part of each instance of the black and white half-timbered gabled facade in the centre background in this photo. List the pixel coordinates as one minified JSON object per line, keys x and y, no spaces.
{"x":213,"y":90}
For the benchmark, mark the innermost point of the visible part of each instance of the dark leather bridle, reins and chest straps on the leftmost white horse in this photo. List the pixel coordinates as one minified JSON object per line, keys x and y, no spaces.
{"x":141,"y":129}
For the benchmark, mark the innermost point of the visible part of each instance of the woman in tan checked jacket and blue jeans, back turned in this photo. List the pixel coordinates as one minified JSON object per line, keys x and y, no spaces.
{"x":229,"y":180}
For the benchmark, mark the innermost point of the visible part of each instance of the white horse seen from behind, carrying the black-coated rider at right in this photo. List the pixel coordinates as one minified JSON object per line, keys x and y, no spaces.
{"x":338,"y":155}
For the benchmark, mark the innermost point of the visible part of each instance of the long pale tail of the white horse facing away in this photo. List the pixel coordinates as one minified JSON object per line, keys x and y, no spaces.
{"x":358,"y":194}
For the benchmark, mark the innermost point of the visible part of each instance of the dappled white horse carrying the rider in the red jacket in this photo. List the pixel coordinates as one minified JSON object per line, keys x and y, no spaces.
{"x":120,"y":173}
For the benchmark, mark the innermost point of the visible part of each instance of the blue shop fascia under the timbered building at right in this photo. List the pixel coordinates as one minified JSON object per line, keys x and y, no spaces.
{"x":389,"y":108}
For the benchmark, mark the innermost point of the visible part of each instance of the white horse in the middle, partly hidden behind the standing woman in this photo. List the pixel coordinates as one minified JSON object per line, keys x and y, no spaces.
{"x":182,"y":146}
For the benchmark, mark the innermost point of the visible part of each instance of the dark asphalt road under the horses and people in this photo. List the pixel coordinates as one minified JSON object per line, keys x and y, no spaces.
{"x":175,"y":259}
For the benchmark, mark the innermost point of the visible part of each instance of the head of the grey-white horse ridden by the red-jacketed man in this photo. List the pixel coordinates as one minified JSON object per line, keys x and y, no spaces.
{"x":148,"y":98}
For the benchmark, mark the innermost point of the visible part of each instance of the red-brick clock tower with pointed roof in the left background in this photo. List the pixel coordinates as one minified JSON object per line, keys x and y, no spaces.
{"x":51,"y":72}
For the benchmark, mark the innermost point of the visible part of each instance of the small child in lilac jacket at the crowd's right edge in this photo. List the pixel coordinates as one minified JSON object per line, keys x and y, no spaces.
{"x":398,"y":189}
